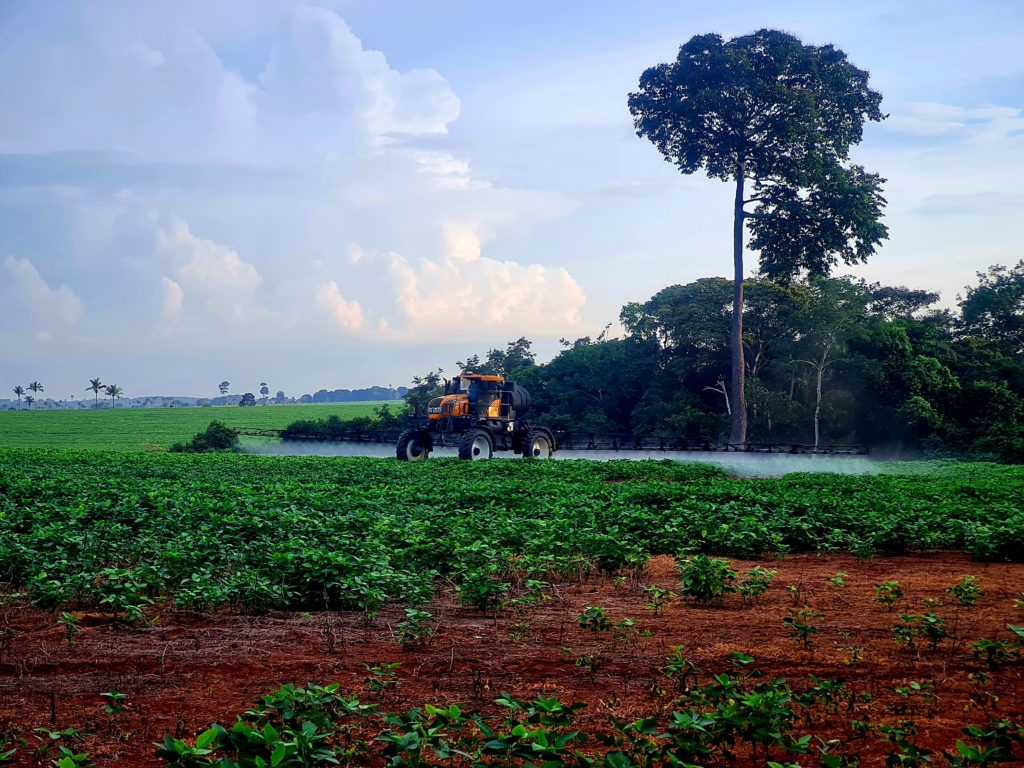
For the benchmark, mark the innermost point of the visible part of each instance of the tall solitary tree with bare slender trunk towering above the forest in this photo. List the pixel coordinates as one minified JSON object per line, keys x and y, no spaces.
{"x":766,"y":109}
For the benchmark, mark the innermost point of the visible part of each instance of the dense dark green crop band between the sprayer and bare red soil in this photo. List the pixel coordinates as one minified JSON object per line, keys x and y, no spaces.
{"x":248,"y":533}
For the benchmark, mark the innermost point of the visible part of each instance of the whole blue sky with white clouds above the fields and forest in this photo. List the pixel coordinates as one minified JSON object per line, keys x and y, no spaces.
{"x":344,"y":194}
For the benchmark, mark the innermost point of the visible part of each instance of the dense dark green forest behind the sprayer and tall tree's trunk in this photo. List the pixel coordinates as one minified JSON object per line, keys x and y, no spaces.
{"x":829,"y":361}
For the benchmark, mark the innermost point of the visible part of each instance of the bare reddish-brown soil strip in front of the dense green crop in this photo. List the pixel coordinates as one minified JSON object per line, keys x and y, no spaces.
{"x":189,"y":670}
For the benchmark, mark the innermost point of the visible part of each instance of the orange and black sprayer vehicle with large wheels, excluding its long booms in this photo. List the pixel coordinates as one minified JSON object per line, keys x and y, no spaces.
{"x":482,"y":414}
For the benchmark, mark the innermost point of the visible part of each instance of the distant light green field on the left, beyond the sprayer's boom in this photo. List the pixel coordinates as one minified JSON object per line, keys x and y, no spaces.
{"x":153,"y":429}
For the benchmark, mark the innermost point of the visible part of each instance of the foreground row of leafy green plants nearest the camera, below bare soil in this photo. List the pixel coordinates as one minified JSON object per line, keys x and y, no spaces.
{"x":722,"y":718}
